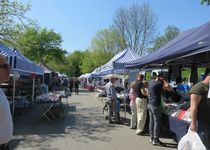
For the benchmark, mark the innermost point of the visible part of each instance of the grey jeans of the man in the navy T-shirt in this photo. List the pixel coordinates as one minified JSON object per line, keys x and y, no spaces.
{"x":154,"y":120}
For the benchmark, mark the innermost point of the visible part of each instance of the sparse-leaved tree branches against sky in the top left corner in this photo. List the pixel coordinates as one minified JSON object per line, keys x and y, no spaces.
{"x":12,"y":13}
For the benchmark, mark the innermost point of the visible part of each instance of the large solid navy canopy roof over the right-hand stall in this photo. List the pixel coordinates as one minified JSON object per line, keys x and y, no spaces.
{"x":188,"y":43}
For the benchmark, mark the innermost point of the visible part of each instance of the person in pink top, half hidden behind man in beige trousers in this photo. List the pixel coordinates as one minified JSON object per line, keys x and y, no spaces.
{"x":132,"y":96}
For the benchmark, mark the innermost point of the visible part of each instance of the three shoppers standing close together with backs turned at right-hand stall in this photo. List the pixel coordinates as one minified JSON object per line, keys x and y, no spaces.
{"x":147,"y":97}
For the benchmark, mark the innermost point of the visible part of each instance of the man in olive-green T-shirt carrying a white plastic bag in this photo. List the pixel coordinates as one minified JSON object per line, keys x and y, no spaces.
{"x":200,"y":110}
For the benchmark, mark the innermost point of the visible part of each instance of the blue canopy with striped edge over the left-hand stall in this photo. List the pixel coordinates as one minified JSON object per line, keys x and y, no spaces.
{"x":18,"y":62}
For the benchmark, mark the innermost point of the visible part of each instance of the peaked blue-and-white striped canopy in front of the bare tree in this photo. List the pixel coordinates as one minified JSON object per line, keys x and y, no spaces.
{"x":116,"y":64}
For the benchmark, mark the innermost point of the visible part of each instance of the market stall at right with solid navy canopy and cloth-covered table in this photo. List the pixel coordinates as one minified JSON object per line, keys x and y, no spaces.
{"x":190,"y":49}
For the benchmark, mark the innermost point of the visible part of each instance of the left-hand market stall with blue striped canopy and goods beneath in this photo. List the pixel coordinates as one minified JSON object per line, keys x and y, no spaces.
{"x":20,"y":66}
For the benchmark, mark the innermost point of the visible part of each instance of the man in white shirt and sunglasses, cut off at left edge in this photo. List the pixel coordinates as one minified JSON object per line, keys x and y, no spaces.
{"x":6,"y":124}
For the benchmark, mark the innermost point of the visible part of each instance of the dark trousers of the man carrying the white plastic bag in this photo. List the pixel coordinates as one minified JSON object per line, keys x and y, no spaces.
{"x":204,"y":133}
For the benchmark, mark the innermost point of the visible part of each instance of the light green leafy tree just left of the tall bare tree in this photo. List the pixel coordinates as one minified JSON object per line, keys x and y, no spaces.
{"x":103,"y":48}
